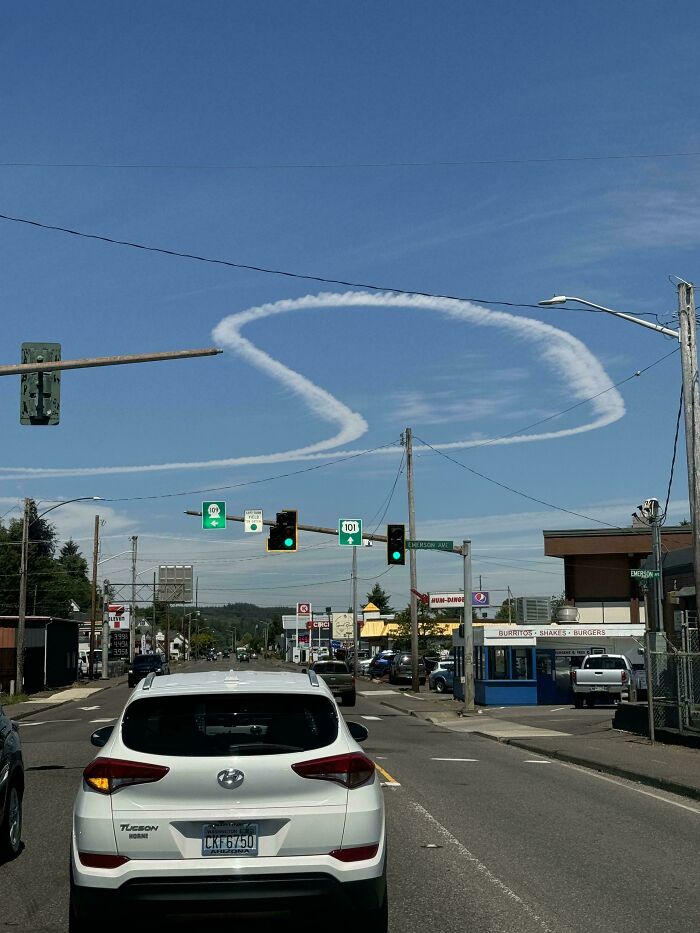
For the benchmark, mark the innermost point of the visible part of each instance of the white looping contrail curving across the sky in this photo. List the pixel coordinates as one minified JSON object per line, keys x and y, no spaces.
{"x":569,"y":357}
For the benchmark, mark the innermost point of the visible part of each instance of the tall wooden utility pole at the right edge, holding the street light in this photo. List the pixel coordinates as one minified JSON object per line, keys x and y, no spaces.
{"x":687,"y":338}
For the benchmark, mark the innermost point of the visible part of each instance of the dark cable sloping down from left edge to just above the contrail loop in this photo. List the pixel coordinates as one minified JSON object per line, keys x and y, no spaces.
{"x":266,"y":270}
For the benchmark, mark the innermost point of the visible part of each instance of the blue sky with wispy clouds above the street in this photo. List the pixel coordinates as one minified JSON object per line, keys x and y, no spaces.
{"x":277,"y":135}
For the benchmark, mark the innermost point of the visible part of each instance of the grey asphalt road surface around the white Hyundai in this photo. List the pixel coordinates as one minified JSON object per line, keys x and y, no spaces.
{"x":483,"y":837}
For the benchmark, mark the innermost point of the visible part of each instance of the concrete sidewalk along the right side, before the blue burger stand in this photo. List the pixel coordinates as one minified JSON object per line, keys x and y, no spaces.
{"x":672,"y":768}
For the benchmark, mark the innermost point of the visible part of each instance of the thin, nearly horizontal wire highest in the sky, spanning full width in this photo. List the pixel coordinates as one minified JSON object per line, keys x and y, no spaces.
{"x":325,"y":166}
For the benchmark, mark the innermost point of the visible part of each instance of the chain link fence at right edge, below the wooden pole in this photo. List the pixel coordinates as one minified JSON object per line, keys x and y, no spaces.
{"x":674,"y":678}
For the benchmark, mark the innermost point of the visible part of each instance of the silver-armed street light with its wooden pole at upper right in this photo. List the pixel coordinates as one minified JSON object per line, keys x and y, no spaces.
{"x":686,"y":337}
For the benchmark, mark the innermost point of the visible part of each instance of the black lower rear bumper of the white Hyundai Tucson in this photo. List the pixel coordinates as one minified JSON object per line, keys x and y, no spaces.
{"x":219,"y":893}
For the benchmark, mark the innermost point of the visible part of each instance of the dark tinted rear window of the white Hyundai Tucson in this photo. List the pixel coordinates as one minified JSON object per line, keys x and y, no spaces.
{"x":214,"y":725}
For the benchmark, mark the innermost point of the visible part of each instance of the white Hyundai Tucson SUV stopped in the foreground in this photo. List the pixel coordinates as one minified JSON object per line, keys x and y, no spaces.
{"x":229,"y":792}
